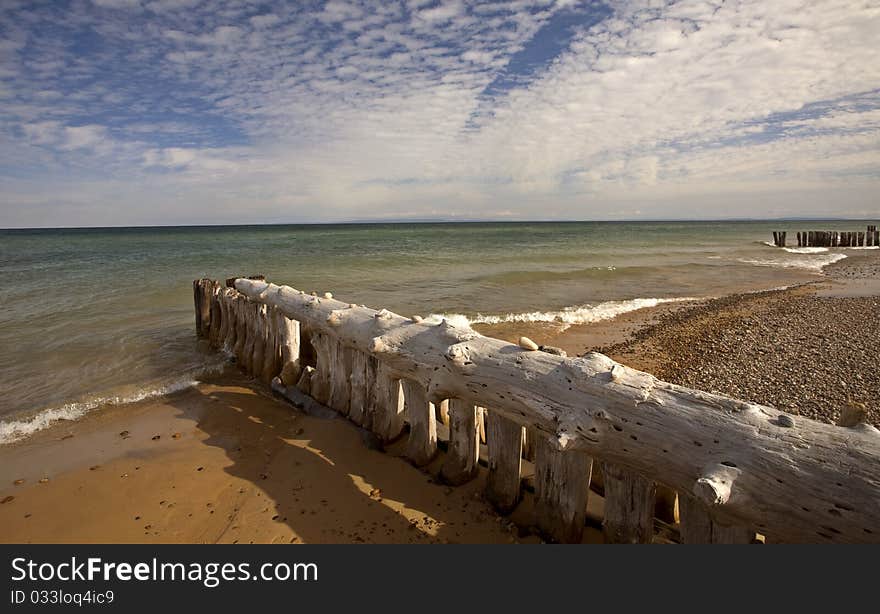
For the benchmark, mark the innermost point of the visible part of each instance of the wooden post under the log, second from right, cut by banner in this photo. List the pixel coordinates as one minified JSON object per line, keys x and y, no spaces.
{"x":629,"y":506}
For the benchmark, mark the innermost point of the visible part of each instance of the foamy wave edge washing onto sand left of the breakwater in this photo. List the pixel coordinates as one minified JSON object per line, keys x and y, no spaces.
{"x":15,"y":430}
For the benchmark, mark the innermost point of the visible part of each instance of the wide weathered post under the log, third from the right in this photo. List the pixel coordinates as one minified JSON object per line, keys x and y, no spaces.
{"x":562,"y":484}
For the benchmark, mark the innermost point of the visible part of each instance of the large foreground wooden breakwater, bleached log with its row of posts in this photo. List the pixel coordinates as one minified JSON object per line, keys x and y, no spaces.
{"x":584,"y":425}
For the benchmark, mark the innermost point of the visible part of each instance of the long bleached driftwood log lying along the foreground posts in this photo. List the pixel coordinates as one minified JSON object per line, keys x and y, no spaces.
{"x":670,"y":433}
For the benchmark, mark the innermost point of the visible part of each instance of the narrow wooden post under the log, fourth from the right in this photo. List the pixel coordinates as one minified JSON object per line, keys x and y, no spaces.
{"x":504,"y":439}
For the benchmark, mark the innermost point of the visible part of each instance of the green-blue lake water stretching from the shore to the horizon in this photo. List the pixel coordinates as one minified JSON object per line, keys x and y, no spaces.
{"x":91,"y":316}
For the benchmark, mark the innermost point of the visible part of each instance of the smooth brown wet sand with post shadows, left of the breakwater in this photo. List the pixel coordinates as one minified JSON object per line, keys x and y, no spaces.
{"x":227,"y":464}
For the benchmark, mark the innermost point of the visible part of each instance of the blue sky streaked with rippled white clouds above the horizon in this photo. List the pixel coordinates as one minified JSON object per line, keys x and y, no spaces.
{"x":154,"y":112}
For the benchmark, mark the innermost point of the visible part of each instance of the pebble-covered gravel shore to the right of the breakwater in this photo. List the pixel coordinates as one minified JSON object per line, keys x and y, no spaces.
{"x":798,"y":352}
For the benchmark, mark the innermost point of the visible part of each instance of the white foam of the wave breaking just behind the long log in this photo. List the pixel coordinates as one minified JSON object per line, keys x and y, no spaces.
{"x":582,"y":314}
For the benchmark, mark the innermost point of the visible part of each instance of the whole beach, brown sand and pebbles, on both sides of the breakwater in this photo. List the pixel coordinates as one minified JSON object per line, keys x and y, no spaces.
{"x":226,"y":462}
